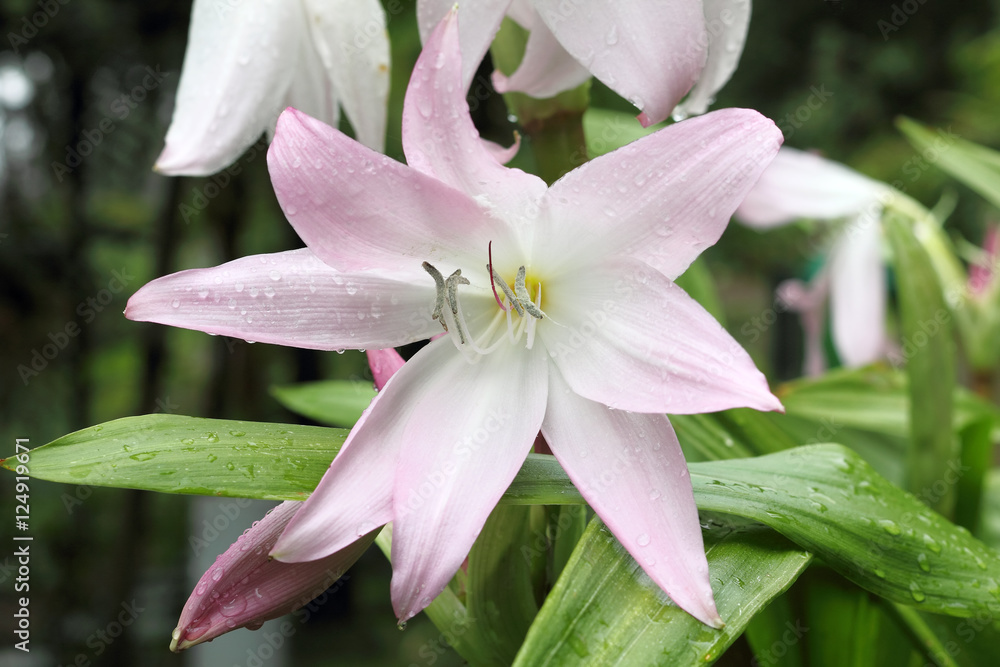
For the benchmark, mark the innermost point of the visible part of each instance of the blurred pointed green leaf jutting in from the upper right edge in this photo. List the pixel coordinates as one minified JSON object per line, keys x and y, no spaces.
{"x":972,"y":164}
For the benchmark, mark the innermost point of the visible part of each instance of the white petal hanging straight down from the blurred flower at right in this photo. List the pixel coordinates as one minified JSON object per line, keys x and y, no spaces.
{"x":857,"y":293}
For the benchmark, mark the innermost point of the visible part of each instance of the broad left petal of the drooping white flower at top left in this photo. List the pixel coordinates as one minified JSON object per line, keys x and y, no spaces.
{"x":237,"y":67}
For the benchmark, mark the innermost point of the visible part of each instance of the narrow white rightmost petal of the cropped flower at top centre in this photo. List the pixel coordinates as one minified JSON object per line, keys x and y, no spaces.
{"x":727,"y":22}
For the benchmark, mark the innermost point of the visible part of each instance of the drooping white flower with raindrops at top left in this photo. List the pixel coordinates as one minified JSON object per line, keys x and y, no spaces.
{"x":246,"y":63}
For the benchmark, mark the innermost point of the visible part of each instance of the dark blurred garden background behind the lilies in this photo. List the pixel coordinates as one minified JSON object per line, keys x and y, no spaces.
{"x":74,"y":244}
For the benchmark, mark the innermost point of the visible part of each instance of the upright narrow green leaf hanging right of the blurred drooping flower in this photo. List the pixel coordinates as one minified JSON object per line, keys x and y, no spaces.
{"x":928,"y":348}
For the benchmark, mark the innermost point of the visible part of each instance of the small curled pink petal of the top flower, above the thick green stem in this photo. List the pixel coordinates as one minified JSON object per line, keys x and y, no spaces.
{"x":546,"y":69}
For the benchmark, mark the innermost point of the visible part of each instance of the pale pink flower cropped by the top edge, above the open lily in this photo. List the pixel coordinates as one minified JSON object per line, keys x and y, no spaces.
{"x":651,"y":52}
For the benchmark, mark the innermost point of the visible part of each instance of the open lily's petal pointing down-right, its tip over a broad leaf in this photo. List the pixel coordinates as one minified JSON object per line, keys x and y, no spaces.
{"x":630,"y":469}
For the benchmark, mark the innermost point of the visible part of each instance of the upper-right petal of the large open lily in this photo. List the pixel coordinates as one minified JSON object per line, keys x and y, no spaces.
{"x":662,"y":199}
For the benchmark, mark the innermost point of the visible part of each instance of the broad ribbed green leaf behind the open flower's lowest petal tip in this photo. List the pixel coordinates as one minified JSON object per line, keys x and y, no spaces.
{"x":605,"y":611}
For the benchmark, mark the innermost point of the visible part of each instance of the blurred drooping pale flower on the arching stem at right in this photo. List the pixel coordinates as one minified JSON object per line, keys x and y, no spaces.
{"x":802,"y":185}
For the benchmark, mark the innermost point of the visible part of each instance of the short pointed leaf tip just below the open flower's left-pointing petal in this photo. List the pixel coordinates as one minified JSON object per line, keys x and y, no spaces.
{"x":333,"y":402}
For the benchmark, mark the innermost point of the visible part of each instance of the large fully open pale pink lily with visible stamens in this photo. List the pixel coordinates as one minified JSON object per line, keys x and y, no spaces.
{"x":560,"y":312}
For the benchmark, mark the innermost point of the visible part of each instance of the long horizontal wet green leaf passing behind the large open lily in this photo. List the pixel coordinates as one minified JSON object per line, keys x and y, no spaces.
{"x":824,"y":498}
